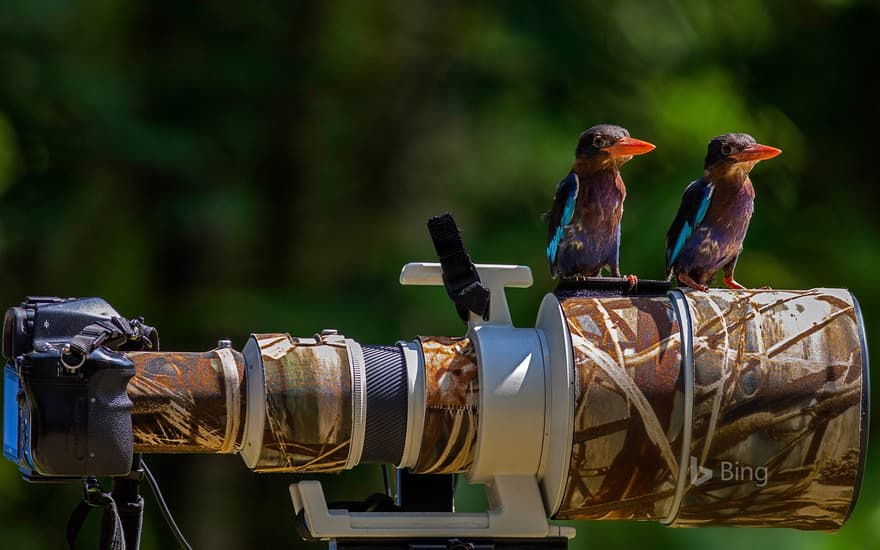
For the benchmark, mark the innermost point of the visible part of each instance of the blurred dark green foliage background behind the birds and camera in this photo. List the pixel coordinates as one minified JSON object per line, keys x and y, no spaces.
{"x":232,"y":167}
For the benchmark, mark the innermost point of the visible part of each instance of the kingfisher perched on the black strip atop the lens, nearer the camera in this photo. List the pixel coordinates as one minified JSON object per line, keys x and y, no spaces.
{"x":584,"y":223}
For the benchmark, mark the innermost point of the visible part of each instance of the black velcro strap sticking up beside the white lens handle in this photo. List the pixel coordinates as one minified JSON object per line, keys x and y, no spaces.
{"x":460,"y":276}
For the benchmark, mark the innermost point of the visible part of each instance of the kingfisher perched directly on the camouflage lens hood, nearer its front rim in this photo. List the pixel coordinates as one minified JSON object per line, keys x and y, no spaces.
{"x":708,"y":232}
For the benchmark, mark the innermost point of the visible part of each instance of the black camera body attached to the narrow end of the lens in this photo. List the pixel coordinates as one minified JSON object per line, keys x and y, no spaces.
{"x":65,"y":416}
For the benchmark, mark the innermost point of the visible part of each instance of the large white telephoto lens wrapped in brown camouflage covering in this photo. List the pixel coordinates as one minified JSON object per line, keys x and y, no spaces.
{"x":689,"y":408}
